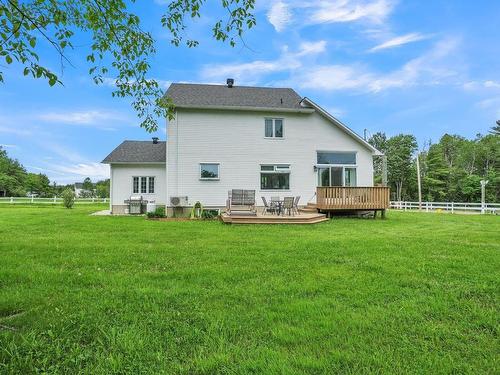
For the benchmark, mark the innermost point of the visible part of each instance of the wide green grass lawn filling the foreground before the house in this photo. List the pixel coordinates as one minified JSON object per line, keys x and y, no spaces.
{"x":416,"y":293}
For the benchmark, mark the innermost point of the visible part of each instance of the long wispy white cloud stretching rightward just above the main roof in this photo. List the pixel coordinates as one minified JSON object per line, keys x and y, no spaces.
{"x":437,"y":66}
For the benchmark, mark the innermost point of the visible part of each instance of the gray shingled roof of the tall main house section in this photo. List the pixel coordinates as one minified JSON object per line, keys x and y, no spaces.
{"x":200,"y":95}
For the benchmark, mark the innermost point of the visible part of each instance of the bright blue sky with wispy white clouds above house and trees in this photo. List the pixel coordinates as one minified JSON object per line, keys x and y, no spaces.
{"x":421,"y":67}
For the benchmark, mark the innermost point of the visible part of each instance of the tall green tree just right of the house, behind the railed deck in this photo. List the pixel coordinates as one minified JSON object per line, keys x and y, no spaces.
{"x":400,"y":150}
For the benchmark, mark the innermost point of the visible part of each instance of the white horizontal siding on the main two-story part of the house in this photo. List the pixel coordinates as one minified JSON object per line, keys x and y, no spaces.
{"x":235,"y":140}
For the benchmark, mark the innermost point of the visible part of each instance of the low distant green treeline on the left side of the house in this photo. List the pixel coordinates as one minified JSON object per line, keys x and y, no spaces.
{"x":15,"y":181}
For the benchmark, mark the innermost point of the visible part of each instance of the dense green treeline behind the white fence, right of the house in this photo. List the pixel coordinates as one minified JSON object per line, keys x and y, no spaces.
{"x":450,"y":170}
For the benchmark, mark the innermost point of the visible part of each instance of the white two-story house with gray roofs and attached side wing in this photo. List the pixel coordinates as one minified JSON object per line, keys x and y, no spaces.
{"x":225,"y":137}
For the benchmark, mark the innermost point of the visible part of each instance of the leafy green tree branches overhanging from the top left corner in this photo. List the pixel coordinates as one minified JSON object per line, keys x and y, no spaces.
{"x":118,"y":46}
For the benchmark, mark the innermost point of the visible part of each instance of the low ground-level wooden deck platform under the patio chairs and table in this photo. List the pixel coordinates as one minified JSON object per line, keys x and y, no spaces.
{"x":301,"y":218}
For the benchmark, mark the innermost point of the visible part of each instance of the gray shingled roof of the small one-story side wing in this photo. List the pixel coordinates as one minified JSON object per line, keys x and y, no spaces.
{"x":138,"y":152}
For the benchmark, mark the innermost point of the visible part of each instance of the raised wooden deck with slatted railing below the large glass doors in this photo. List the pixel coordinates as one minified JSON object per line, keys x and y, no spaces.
{"x":334,"y":198}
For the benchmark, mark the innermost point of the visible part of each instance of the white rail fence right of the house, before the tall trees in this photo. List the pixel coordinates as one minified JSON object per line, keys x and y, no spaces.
{"x":486,"y":208}
